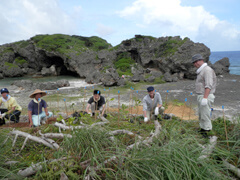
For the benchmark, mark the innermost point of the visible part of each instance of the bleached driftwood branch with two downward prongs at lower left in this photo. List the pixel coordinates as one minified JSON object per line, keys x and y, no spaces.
{"x":49,"y":143}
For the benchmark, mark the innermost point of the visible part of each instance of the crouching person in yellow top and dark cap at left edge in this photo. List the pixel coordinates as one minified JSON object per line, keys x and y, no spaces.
{"x":12,"y":109}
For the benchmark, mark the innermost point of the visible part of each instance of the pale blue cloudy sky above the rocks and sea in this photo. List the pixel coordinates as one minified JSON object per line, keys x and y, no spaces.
{"x":216,"y":23}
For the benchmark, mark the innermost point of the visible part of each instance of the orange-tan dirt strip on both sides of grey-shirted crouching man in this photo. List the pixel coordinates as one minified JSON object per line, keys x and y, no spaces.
{"x":182,"y":112}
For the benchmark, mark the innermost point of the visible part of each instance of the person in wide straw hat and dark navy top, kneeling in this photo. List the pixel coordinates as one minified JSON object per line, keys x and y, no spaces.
{"x":35,"y":113}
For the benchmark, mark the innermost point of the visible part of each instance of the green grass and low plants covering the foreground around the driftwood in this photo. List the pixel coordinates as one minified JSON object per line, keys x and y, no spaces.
{"x":173,"y":154}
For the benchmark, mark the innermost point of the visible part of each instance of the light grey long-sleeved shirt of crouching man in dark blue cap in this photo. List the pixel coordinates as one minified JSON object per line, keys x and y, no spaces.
{"x":149,"y":104}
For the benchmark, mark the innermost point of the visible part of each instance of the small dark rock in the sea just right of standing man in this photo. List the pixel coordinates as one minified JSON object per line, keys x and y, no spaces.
{"x":221,"y":67}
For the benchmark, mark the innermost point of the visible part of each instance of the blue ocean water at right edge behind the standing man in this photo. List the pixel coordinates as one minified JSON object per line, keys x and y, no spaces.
{"x":234,"y":59}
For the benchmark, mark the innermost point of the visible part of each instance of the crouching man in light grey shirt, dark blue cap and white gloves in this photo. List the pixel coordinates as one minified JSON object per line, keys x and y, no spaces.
{"x":152,"y":104}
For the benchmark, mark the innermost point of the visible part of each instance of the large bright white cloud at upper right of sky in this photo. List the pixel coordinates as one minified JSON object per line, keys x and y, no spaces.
{"x":171,"y":18}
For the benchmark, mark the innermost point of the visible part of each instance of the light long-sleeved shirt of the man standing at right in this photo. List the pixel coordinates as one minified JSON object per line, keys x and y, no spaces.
{"x":206,"y":79}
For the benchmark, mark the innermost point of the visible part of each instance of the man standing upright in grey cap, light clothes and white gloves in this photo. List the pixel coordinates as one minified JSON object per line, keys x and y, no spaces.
{"x":205,"y":88}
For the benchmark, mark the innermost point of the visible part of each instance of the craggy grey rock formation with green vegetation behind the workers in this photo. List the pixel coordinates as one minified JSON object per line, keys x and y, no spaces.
{"x":142,"y":58}
